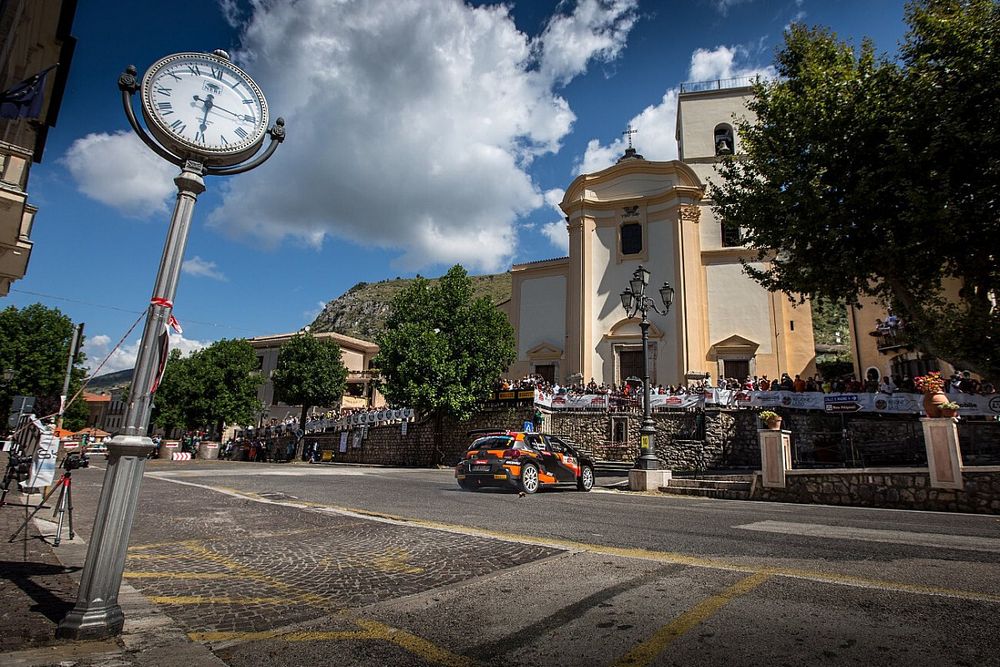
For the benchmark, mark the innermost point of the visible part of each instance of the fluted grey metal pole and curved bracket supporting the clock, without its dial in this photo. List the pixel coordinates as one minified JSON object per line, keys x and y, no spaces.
{"x":97,"y":613}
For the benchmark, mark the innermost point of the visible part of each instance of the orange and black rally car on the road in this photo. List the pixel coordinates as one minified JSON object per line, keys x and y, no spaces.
{"x":524,"y":461}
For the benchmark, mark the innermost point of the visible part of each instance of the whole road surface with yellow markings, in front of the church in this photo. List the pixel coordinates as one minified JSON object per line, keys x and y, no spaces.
{"x":301,"y":564}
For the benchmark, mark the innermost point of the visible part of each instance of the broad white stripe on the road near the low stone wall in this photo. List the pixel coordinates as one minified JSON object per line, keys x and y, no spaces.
{"x":935,"y":540}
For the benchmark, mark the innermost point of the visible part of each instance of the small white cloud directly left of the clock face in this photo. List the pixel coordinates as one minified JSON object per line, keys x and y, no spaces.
{"x":118,"y":170}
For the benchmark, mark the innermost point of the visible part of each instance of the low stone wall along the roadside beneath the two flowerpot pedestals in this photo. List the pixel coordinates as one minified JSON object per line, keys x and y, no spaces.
{"x":907,"y":488}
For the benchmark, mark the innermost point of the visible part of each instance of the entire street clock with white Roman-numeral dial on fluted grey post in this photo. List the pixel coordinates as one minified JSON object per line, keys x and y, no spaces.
{"x":202,"y":143}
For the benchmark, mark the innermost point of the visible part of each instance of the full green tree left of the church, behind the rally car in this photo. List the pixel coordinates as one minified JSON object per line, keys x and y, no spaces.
{"x":443,"y":350}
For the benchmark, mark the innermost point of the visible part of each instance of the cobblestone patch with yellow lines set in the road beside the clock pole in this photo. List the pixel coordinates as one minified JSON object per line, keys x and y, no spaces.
{"x":238,"y":567}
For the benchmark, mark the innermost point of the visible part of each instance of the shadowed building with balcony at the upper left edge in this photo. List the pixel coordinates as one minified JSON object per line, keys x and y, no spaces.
{"x":35,"y":38}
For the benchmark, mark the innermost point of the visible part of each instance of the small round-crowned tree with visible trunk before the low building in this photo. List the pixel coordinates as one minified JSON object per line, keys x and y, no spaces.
{"x":310,"y":371}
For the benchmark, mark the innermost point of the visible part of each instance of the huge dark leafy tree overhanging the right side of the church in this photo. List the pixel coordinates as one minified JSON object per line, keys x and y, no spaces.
{"x":860,"y":176}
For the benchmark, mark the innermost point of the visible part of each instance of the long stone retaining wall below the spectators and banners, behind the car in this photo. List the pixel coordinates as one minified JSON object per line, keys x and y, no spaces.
{"x":686,"y":441}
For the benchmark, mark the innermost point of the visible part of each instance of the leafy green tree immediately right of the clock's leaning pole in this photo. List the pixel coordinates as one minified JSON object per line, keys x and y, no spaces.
{"x":211,"y":387}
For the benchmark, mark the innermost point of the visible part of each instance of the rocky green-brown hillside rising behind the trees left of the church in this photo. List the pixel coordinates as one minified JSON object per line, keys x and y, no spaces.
{"x":362,"y":310}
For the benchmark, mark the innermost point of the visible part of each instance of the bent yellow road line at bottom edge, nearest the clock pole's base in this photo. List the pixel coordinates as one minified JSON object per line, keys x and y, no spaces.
{"x":370,"y":631}
